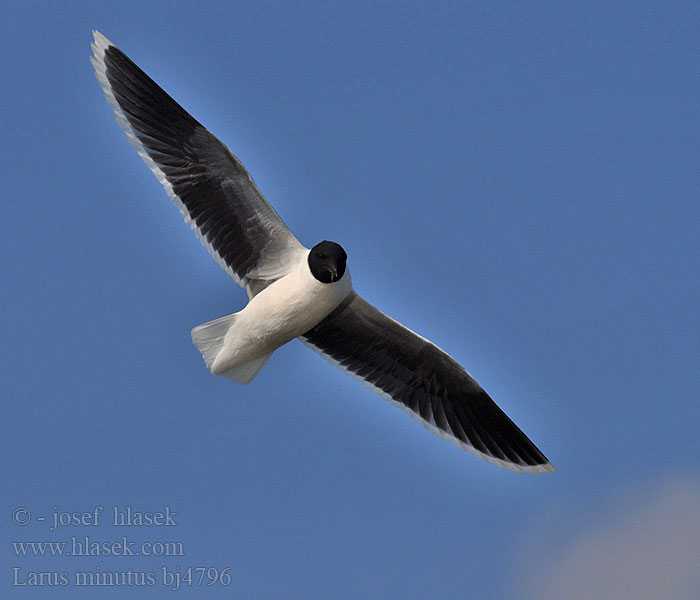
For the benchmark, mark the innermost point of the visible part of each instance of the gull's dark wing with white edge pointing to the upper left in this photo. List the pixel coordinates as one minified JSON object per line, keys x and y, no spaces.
{"x":210,"y":186}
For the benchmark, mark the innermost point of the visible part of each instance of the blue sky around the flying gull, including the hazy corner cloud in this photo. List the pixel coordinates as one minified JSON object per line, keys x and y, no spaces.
{"x":519,"y":184}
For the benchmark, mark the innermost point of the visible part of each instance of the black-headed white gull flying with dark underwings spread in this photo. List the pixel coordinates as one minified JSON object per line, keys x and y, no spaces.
{"x":293,"y":291}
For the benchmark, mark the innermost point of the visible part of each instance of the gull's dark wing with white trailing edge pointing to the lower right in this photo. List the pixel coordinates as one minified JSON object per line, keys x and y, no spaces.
{"x":413,"y":373}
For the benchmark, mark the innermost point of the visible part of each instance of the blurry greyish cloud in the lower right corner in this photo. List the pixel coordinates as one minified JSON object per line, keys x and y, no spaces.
{"x":648,"y":548}
